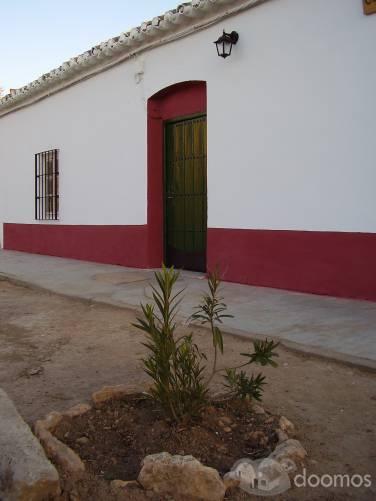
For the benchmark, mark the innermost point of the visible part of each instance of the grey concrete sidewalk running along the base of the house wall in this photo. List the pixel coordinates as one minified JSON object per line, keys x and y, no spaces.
{"x":341,"y":329}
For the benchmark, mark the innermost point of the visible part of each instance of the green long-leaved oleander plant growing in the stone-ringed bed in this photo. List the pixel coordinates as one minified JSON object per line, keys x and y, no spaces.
{"x":178,"y":368}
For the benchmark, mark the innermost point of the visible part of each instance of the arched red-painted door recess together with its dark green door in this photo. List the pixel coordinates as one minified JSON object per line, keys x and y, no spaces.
{"x":177,"y":195}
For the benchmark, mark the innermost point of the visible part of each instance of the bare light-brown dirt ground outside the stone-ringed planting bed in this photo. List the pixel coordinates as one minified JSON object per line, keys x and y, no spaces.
{"x":54,"y":352}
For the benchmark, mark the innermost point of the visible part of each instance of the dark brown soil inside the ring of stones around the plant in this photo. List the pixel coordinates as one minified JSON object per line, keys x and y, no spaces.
{"x":114,"y":439}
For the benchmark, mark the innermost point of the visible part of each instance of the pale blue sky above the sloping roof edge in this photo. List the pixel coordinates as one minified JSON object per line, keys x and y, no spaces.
{"x":38,"y":35}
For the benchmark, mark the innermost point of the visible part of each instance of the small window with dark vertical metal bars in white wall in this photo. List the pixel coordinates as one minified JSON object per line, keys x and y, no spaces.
{"x":47,"y":185}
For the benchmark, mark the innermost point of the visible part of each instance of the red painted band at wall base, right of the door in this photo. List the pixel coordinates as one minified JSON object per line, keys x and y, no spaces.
{"x":331,"y":263}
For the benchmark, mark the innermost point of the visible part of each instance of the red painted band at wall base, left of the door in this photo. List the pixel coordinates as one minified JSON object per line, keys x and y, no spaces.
{"x":123,"y":245}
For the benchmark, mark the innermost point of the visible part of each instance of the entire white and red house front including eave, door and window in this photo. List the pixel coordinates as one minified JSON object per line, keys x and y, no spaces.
{"x":151,"y":148}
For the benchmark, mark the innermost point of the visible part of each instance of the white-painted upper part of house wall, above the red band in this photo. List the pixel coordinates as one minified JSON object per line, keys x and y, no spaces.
{"x":291,"y":126}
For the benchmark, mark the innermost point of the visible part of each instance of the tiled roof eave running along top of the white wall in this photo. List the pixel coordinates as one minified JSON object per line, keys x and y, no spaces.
{"x":176,"y":23}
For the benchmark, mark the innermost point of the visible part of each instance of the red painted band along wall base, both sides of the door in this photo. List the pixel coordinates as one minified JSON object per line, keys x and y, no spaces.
{"x":331,"y":263}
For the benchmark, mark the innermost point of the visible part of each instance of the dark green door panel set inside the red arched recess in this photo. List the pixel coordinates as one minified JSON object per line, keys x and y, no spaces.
{"x":185,"y":194}
